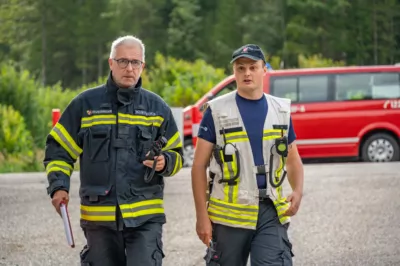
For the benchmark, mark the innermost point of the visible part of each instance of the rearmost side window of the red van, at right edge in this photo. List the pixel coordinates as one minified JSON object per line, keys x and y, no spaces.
{"x":367,"y":86}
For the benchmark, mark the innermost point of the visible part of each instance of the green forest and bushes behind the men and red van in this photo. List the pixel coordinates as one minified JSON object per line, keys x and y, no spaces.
{"x":50,"y":50}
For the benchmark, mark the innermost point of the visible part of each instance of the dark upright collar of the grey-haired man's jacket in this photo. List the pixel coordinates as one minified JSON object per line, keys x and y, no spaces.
{"x":124,"y":96}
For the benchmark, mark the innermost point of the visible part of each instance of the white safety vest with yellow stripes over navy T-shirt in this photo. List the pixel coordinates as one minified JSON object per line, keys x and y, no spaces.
{"x":237,"y":205}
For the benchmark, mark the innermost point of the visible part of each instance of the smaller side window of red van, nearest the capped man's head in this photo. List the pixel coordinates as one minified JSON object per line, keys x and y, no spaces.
{"x":313,"y":88}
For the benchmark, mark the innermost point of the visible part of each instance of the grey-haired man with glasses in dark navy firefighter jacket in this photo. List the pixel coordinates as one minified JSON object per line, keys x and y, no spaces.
{"x":127,"y":141}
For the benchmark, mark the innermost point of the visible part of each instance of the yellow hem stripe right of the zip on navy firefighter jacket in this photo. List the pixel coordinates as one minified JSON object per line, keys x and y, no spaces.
{"x":147,"y":207}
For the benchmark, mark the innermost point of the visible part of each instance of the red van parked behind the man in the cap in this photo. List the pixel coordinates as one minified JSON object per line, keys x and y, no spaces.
{"x":351,"y":112}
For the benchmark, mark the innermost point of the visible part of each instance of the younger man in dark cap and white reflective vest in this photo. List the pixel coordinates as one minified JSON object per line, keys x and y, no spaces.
{"x":249,"y":137}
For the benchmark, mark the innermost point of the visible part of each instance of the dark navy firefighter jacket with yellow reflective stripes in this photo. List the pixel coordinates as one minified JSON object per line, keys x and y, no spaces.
{"x":110,"y":130}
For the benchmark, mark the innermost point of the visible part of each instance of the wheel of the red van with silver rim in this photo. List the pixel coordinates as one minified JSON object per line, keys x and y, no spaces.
{"x":380,"y":147}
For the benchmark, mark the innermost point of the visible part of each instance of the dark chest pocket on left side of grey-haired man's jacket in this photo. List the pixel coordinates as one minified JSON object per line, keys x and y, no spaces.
{"x":99,"y":144}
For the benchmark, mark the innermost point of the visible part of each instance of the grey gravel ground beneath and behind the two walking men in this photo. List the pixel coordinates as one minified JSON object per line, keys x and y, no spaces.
{"x":349,"y":215}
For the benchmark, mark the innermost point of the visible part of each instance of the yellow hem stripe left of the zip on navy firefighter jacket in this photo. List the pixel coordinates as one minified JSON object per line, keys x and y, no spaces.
{"x":98,"y":213}
